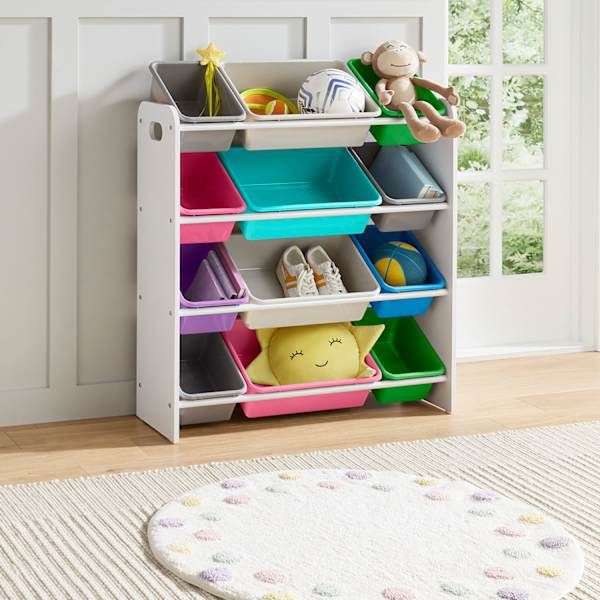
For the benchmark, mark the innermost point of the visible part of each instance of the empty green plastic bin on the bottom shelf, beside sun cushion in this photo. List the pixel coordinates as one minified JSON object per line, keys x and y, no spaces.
{"x":403,"y":352}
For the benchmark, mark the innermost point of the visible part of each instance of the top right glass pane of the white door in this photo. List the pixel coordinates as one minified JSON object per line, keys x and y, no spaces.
{"x":524,"y":31}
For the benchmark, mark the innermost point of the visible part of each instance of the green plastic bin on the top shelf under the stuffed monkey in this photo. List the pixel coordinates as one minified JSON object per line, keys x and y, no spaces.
{"x":391,"y":135}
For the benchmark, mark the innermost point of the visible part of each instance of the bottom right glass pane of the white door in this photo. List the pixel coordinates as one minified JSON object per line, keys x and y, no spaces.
{"x":523,"y":227}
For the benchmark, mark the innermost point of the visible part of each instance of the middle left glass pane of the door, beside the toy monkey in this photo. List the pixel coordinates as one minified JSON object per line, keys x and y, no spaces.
{"x":474,"y":147}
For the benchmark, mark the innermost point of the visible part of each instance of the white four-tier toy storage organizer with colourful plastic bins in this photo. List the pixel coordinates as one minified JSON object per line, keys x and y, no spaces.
{"x":196,"y":314}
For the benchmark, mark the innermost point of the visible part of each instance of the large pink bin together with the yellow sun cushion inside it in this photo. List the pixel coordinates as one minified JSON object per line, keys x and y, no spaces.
{"x":311,"y":356}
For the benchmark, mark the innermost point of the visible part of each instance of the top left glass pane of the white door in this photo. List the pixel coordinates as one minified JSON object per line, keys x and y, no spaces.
{"x":469,"y":32}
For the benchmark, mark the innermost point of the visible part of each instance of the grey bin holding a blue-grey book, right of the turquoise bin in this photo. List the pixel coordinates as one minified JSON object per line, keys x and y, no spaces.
{"x":388,"y":186}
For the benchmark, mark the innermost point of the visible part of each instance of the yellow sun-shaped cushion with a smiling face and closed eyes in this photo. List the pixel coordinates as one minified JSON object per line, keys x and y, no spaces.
{"x":334,"y":351}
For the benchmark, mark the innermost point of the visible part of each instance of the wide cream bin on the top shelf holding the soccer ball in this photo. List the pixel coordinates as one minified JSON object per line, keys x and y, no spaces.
{"x":309,"y":130}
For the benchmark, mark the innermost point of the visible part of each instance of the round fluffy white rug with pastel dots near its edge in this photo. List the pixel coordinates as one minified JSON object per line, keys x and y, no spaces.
{"x":357,"y":534}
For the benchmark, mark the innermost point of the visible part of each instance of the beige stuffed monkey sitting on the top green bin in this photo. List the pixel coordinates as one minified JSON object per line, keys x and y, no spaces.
{"x":396,"y":63}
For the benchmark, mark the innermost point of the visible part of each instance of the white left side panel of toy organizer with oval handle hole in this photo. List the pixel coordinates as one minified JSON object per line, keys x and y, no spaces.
{"x":158,"y":269}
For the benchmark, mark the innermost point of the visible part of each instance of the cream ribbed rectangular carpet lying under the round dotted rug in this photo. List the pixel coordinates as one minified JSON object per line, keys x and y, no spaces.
{"x":86,"y":538}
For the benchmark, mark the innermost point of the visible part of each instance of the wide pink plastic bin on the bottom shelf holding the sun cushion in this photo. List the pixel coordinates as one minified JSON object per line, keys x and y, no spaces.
{"x":244,"y":347}
